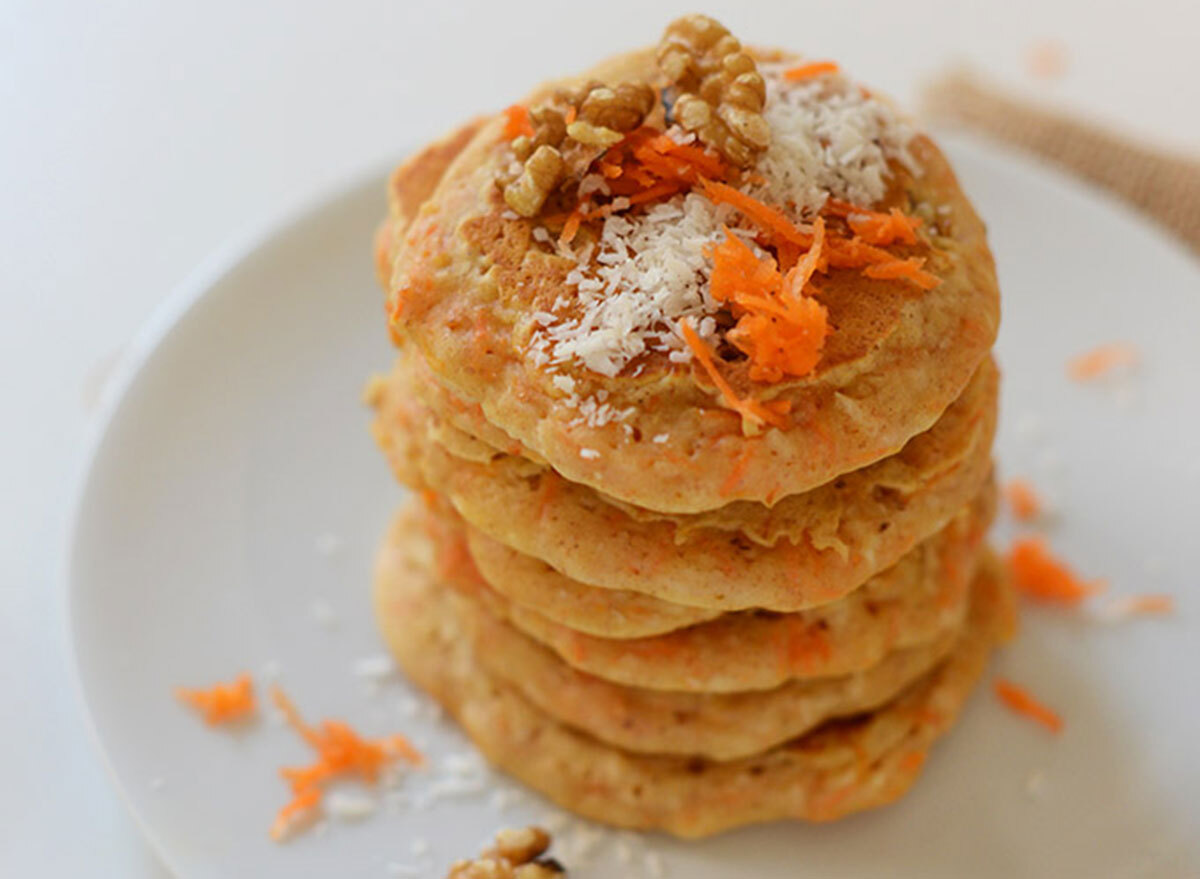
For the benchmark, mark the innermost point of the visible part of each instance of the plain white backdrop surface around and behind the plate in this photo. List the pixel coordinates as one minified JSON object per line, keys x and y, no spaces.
{"x":137,"y":137}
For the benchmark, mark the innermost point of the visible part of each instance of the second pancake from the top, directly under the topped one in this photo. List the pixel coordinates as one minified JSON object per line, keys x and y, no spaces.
{"x":807,"y":551}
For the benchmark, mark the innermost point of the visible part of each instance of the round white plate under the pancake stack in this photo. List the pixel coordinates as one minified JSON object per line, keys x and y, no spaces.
{"x":238,"y":451}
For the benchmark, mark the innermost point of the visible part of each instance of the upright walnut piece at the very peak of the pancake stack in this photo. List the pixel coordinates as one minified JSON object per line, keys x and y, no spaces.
{"x":719,"y":92}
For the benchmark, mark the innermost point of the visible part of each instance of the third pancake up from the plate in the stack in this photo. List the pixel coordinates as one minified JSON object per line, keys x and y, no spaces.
{"x":913,"y":603}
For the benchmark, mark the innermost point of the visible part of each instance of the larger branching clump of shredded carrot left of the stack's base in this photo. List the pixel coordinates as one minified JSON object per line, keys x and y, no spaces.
{"x":341,"y":752}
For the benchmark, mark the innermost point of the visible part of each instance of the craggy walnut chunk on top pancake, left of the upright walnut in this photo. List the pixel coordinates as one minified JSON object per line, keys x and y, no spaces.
{"x":559,"y":151}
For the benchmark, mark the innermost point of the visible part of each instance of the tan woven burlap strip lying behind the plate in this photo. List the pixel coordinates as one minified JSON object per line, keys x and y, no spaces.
{"x":1163,"y":187}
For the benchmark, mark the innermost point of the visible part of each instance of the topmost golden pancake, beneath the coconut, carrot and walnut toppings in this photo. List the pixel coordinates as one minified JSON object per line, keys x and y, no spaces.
{"x":470,"y":276}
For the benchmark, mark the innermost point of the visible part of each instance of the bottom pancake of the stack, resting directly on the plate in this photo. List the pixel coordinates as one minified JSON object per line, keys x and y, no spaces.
{"x":842,"y":768}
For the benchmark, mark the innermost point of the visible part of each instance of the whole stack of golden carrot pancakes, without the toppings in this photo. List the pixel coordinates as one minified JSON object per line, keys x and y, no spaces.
{"x":664,"y":620}
